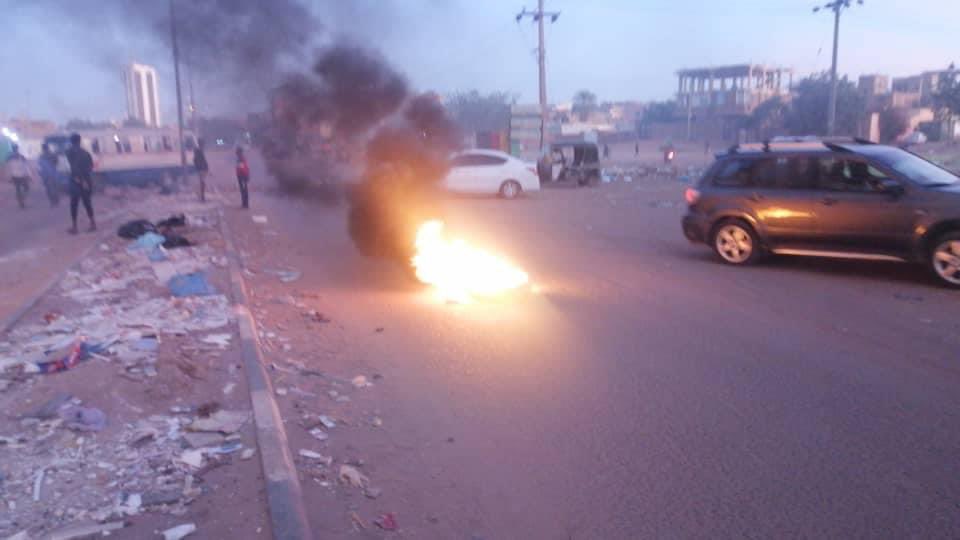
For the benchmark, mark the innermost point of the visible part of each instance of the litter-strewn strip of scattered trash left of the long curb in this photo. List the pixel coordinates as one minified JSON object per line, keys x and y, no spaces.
{"x":69,"y":468}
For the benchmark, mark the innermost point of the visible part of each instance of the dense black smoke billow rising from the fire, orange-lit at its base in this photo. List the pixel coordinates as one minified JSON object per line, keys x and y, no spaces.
{"x":354,"y":100}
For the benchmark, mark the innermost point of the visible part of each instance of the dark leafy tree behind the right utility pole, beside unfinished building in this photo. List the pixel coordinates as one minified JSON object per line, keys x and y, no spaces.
{"x":807,"y":114}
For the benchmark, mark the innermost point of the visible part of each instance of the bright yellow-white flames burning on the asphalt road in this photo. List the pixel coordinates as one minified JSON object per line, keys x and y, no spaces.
{"x":459,"y":271}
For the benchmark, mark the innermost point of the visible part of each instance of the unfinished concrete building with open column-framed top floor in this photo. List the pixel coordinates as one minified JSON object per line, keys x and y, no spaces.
{"x":715,"y":101}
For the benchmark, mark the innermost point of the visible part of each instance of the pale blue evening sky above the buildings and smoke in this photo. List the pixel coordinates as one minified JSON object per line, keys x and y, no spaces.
{"x":56,"y":68}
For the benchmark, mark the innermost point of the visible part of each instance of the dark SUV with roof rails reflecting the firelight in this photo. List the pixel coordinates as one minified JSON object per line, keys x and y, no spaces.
{"x":829,"y":198}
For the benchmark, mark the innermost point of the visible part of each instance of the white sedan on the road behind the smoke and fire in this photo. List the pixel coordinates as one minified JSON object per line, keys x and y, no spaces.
{"x":491,"y":172}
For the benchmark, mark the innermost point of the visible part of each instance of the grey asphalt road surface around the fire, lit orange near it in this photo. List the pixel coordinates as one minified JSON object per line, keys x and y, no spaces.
{"x":646,"y":390}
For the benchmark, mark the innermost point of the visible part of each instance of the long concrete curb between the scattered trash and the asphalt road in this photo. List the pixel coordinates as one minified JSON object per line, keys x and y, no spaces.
{"x":288,"y":516}
